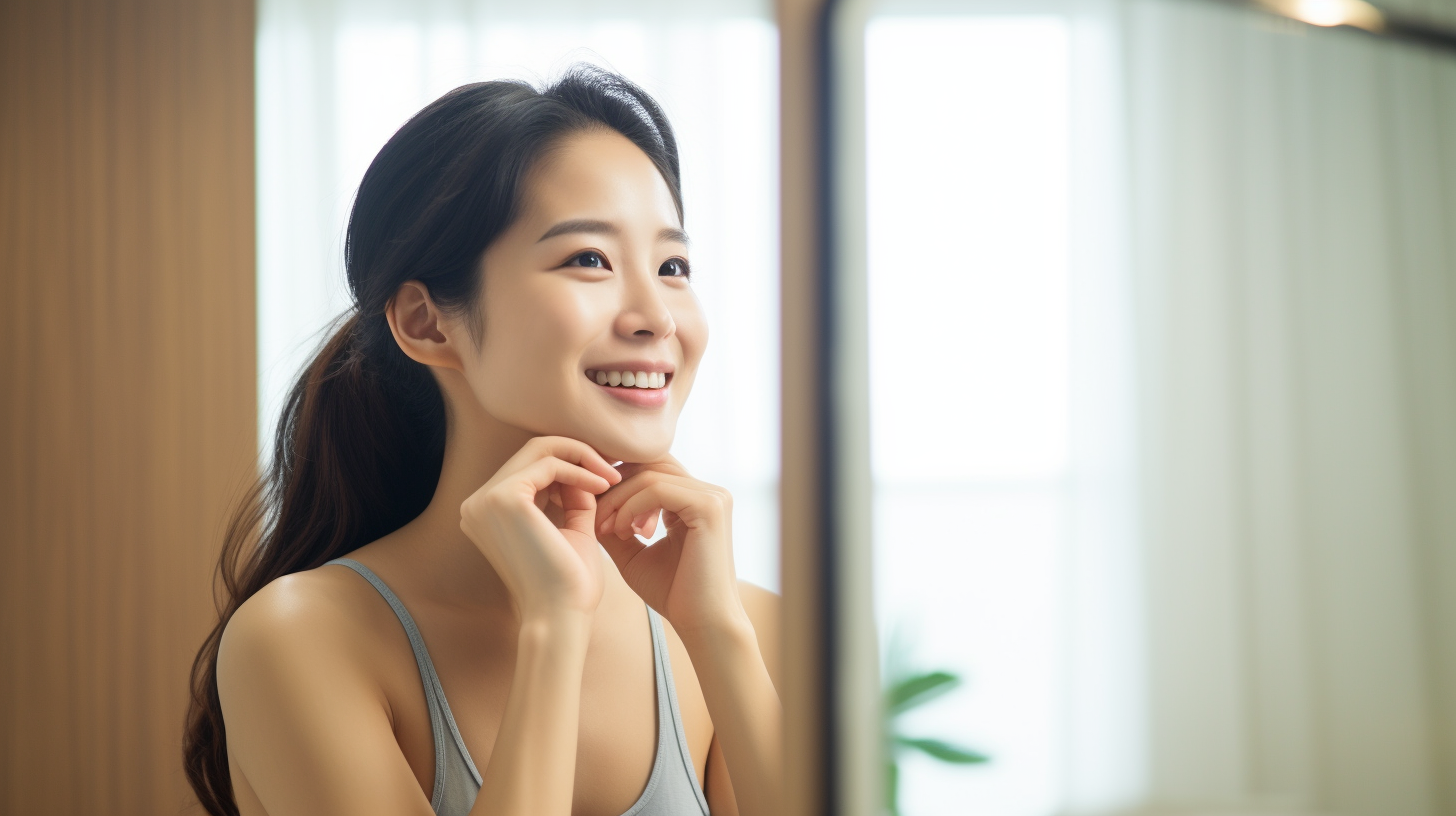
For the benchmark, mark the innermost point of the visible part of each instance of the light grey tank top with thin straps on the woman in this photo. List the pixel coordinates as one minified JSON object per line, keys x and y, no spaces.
{"x":672,"y":789}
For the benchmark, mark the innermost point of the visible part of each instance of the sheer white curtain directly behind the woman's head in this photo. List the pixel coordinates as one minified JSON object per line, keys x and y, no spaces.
{"x":337,"y":78}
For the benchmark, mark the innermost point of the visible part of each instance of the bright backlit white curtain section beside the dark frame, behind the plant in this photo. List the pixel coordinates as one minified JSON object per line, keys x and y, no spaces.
{"x":1002,"y":399}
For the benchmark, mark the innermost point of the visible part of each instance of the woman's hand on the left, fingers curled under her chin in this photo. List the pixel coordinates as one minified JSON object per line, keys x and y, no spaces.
{"x":548,"y":569}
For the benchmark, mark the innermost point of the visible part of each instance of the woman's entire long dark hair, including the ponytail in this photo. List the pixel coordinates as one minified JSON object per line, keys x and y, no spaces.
{"x":362,"y":438}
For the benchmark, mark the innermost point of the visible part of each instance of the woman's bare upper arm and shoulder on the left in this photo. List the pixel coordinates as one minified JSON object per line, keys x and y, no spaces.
{"x":305,"y":722}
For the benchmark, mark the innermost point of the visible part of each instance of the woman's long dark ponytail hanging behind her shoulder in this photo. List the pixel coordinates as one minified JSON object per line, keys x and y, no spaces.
{"x":357,"y":455}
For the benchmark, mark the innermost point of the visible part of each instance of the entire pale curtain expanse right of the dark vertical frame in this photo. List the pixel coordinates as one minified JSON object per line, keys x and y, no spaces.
{"x":1221,"y":575}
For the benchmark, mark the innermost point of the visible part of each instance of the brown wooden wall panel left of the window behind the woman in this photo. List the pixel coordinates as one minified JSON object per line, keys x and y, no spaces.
{"x":127,"y":382}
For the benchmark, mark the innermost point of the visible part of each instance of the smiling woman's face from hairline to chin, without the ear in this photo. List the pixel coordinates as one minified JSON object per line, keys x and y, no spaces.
{"x":589,"y":291}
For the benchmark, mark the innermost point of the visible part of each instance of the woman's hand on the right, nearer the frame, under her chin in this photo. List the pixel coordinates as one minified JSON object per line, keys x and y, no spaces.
{"x":688,"y":576}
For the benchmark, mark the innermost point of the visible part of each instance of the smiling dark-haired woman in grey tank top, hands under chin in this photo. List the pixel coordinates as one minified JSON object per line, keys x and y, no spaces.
{"x":523,"y":321}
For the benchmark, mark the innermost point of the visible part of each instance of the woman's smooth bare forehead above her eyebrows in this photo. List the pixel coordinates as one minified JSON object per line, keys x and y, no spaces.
{"x":598,"y":174}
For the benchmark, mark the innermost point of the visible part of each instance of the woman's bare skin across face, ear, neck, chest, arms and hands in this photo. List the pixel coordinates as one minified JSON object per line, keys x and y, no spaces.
{"x":525,"y":573}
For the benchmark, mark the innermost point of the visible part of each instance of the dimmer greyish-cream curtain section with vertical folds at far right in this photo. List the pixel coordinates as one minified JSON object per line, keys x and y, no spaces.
{"x":1294,"y":199}
